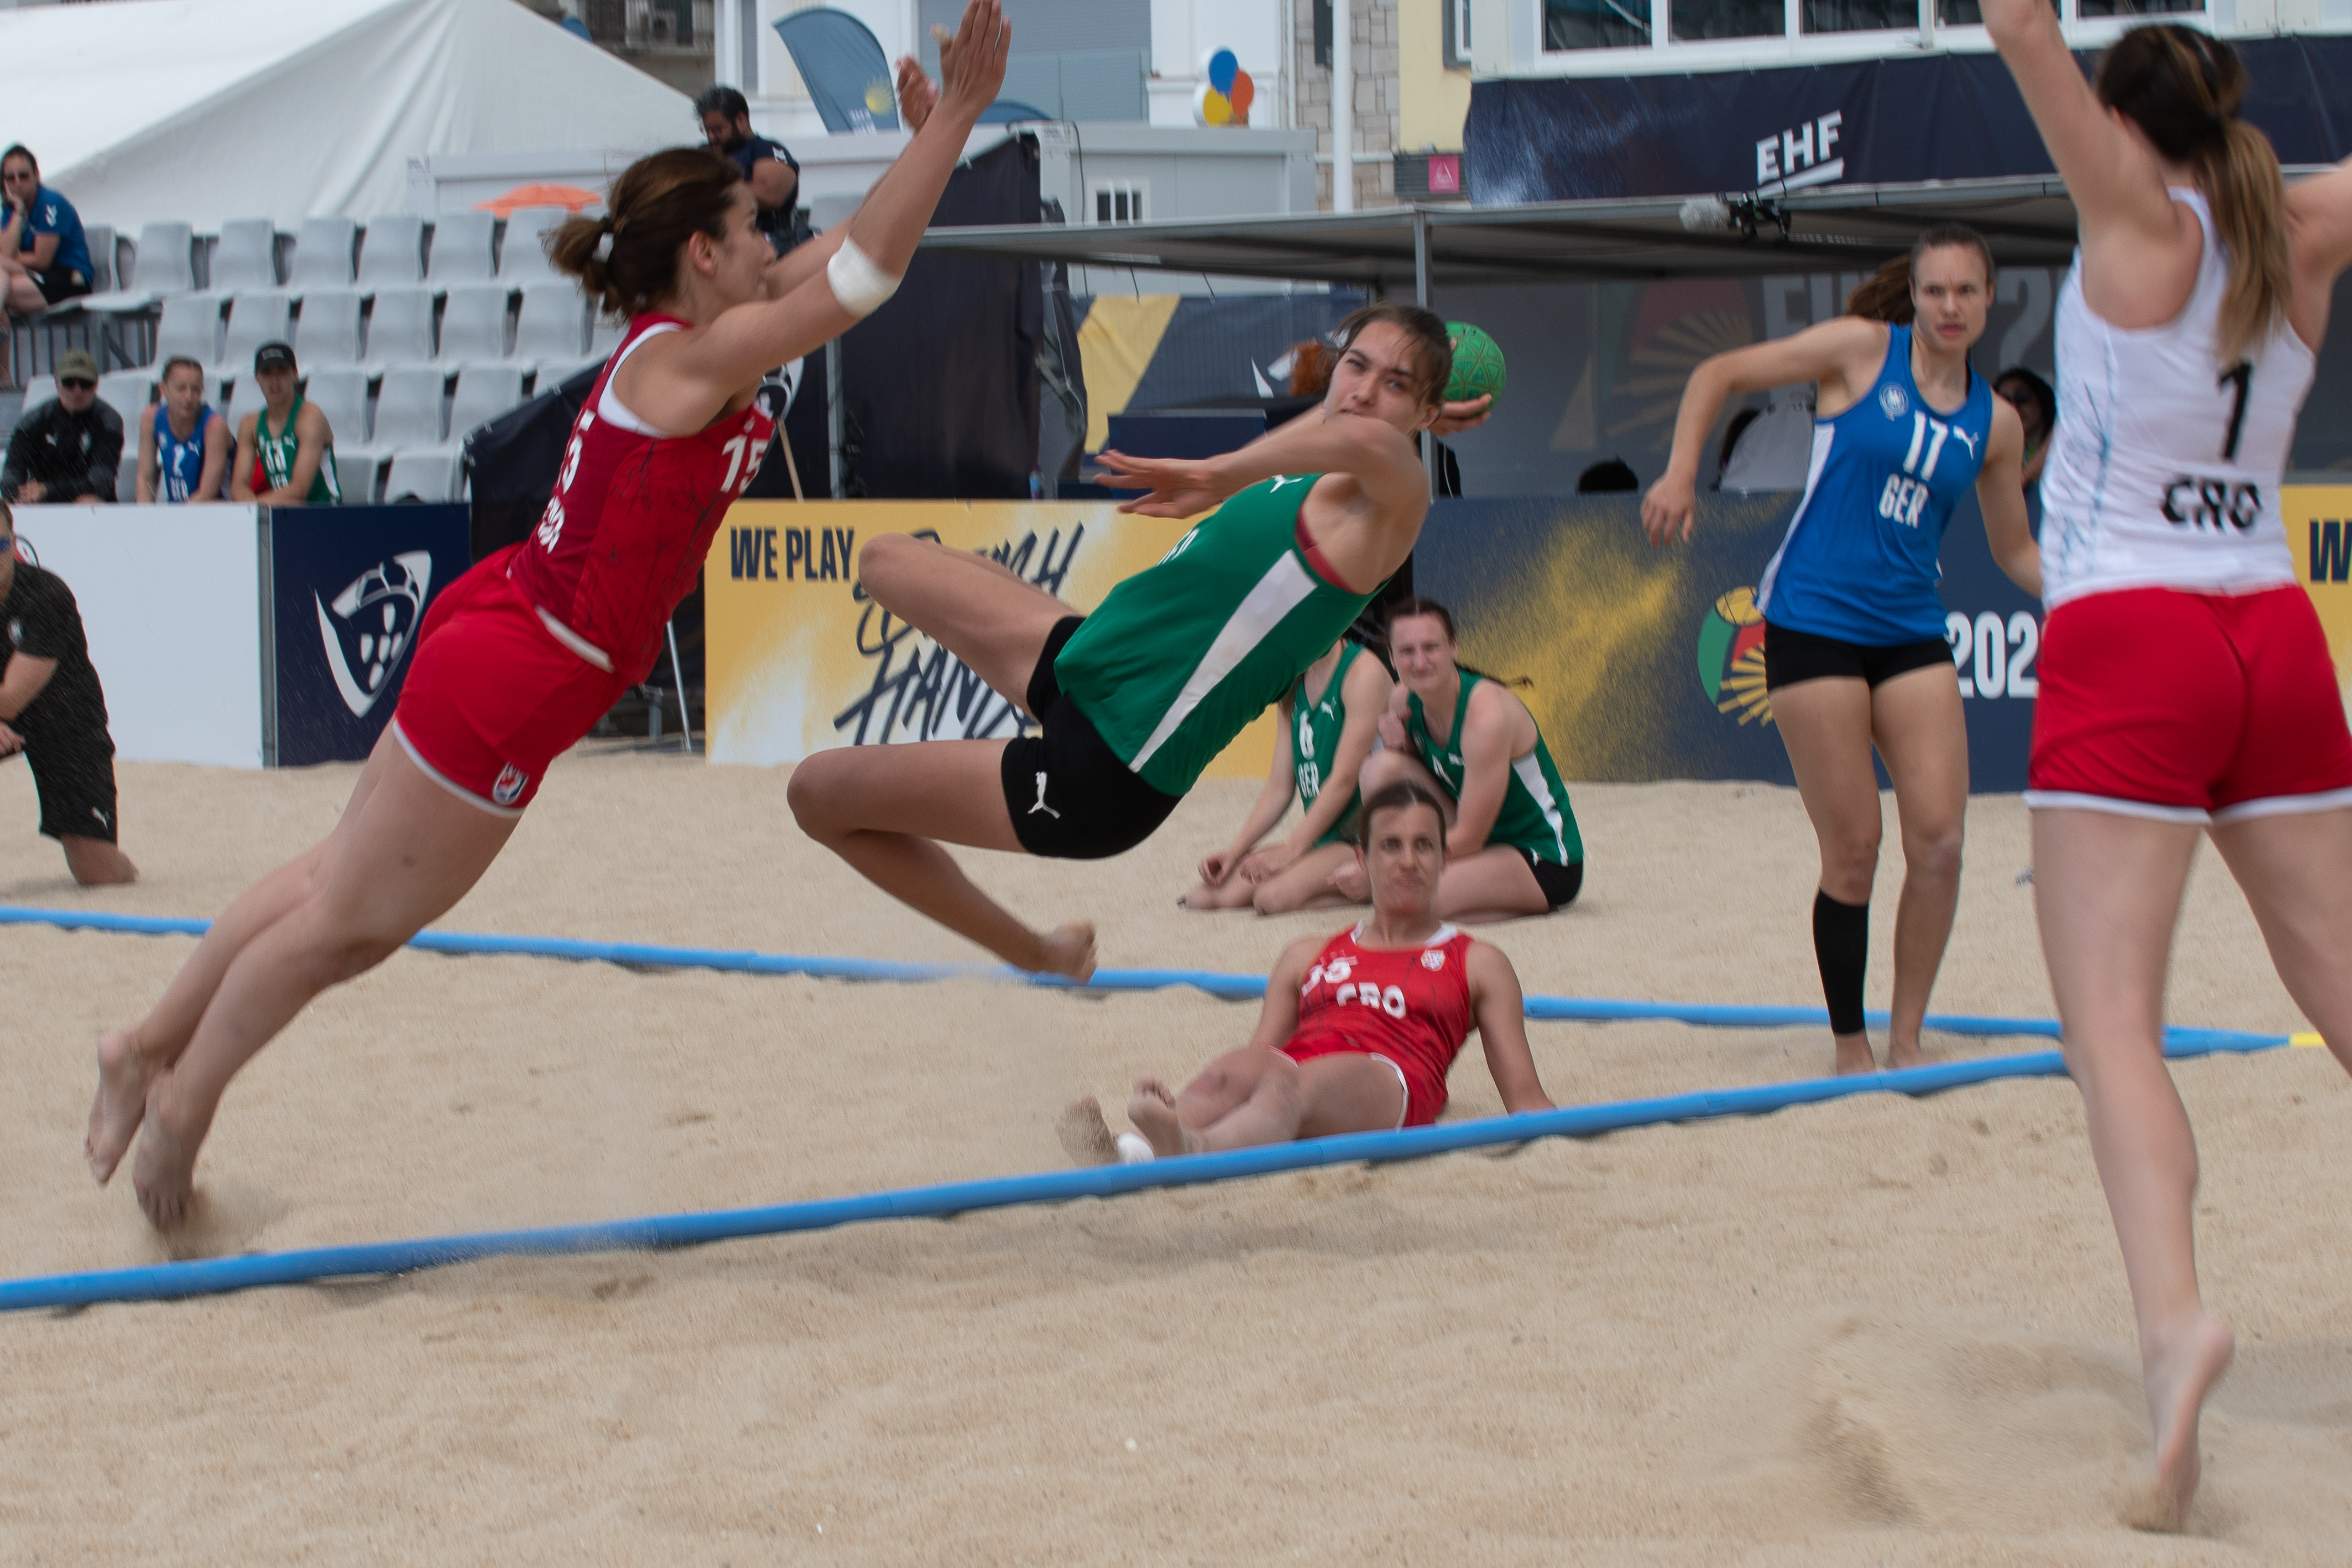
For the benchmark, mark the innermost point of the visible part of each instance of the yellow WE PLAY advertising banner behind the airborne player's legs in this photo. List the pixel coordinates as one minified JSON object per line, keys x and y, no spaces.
{"x":801,"y":659}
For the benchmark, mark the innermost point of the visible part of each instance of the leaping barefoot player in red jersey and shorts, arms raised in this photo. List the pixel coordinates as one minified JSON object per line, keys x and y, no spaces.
{"x":521,"y":657}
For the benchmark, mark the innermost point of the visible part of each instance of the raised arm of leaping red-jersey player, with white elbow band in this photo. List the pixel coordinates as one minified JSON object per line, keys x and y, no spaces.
{"x":686,"y":382}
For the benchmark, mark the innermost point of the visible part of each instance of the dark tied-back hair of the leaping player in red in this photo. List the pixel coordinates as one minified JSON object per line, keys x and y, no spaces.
{"x":629,"y":257}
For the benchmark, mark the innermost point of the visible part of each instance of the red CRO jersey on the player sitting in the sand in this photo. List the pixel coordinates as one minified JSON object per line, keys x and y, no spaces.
{"x":1408,"y":1005}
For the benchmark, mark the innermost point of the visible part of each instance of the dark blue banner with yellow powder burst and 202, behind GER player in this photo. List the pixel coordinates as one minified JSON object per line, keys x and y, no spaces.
{"x":1650,"y":664}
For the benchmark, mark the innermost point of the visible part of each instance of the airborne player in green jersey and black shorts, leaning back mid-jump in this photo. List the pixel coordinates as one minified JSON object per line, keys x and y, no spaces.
{"x":1140,"y":697}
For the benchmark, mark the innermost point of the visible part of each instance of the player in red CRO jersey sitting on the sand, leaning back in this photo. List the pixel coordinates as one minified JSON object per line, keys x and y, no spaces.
{"x":1358,"y":1031}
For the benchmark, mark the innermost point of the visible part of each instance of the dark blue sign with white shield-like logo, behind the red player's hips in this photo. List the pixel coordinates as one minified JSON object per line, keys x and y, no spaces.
{"x":349,"y":589}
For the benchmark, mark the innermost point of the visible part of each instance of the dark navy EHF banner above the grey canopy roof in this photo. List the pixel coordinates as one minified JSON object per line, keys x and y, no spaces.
{"x":1937,"y":116}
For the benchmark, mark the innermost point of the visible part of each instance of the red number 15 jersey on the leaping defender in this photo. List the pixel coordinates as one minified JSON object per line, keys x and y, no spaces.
{"x":632,"y":518}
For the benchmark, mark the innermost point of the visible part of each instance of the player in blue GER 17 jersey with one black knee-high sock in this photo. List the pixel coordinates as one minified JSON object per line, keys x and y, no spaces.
{"x":1855,"y":631}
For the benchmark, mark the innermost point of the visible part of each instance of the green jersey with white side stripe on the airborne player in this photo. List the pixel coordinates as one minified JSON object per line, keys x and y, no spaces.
{"x":1182,"y":657}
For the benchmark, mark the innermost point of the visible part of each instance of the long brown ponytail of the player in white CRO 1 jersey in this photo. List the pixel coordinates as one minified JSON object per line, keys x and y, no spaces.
{"x":2184,"y":91}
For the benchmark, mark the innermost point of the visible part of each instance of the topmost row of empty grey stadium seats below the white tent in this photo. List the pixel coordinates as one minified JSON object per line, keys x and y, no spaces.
{"x":333,"y":255}
